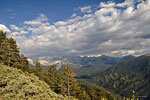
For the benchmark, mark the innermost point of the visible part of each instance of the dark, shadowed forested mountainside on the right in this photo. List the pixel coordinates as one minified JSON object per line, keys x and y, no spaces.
{"x":126,"y":76}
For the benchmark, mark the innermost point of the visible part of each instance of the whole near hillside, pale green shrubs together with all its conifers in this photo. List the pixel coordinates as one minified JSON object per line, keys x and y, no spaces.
{"x":64,"y":83}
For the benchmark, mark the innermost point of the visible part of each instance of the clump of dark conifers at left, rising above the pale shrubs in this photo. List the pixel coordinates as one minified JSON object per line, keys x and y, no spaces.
{"x":9,"y":53}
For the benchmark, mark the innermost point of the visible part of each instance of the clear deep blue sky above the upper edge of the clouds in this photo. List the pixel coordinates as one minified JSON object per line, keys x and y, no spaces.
{"x":17,"y":11}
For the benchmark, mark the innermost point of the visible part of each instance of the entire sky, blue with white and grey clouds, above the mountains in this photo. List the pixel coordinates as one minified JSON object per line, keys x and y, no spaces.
{"x":77,"y":27}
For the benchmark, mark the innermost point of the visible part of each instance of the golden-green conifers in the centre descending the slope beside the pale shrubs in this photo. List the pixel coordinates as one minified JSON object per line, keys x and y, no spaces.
{"x":66,"y":84}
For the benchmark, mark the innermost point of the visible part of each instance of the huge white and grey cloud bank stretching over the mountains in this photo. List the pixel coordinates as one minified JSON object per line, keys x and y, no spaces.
{"x":109,"y":30}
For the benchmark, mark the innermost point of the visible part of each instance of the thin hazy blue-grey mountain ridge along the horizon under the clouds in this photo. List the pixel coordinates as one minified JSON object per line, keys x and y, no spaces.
{"x":46,"y":61}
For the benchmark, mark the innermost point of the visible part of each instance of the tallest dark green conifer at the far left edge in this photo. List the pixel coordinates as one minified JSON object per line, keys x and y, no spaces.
{"x":9,"y":51}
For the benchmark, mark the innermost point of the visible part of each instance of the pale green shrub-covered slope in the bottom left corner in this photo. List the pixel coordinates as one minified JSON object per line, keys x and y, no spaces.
{"x":17,"y":85}
